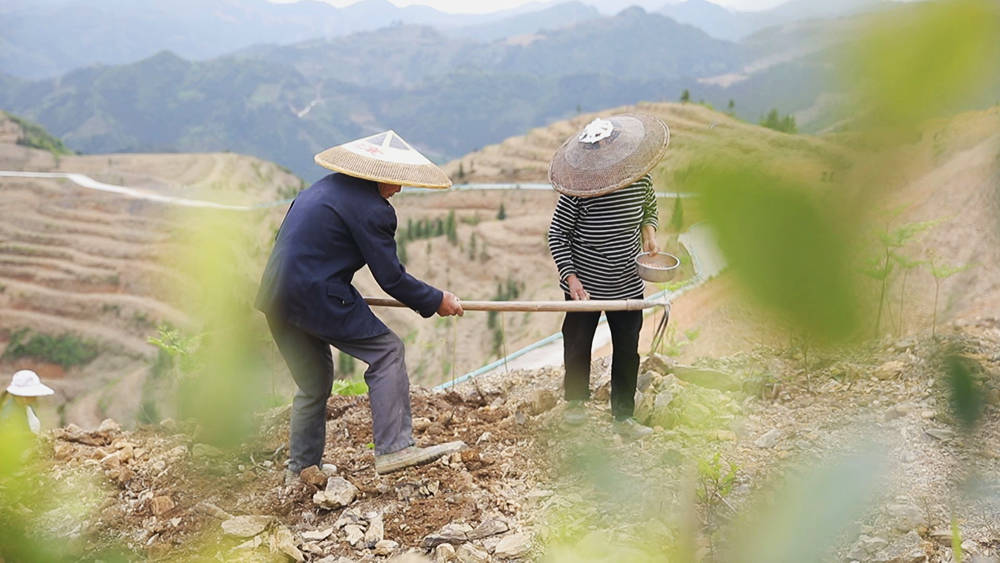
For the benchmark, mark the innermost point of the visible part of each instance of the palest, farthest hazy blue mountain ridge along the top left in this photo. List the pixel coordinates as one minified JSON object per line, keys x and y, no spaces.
{"x":44,"y":39}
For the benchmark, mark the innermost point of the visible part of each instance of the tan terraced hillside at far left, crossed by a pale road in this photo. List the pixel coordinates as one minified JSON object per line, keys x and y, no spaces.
{"x":85,"y":276}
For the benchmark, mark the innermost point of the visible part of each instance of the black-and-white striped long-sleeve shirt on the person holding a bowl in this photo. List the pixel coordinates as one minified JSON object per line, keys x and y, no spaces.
{"x":598,"y":239}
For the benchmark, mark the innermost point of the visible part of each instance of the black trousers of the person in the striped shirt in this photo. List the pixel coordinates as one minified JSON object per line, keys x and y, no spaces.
{"x":578,"y":340}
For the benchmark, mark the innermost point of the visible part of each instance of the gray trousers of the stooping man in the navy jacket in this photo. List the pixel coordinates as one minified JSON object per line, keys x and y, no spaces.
{"x":309,"y":359}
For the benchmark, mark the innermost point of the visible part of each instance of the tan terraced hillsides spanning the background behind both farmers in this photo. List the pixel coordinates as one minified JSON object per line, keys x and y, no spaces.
{"x":97,"y":266}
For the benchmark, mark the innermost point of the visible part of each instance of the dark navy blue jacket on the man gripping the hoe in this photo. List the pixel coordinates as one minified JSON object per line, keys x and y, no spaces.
{"x":331,"y":231}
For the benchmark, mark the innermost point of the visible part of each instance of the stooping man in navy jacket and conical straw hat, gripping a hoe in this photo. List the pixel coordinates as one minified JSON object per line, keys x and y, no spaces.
{"x":333,"y":229}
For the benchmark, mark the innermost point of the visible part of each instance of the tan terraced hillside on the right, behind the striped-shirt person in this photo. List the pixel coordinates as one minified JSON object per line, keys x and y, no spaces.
{"x":952,"y":174}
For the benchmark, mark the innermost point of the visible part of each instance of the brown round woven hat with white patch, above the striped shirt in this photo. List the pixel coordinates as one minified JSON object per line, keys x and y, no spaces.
{"x":609,"y":154}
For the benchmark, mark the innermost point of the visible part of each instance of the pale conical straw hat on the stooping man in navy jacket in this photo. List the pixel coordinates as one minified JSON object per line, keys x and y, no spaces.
{"x":386,"y":158}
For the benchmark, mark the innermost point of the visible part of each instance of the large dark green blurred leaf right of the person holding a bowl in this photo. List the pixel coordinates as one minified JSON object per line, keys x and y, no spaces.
{"x":788,"y":246}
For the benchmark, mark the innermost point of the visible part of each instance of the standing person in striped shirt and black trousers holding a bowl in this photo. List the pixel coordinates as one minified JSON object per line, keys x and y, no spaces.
{"x":605,"y":216}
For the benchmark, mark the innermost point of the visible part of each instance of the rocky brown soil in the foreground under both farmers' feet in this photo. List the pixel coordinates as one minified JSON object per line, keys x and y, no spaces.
{"x":727,"y":434}
